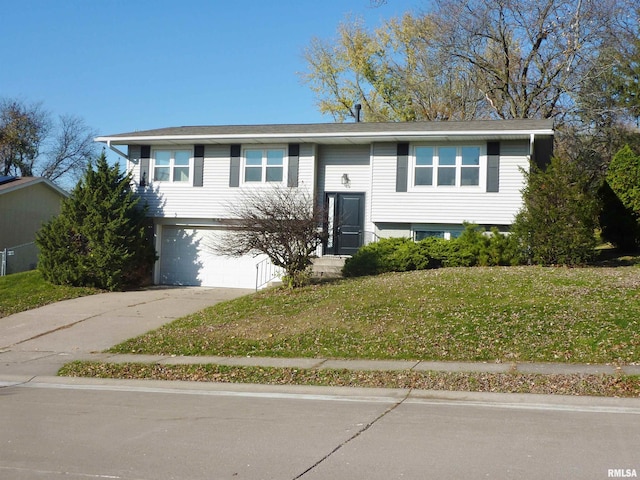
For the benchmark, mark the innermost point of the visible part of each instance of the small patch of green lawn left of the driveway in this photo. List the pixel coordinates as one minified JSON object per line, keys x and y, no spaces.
{"x":27,"y":290}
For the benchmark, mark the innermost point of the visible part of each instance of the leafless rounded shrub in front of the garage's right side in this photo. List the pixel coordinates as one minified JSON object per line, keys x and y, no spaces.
{"x":282,"y":223}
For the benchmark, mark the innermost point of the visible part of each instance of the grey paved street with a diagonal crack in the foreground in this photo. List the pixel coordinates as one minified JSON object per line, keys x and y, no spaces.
{"x":66,"y":428}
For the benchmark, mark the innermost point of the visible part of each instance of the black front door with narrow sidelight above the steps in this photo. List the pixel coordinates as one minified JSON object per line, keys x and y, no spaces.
{"x":345,"y":223}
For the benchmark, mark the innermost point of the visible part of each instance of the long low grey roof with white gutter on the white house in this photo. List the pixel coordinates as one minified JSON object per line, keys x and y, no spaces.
{"x":360,"y":132}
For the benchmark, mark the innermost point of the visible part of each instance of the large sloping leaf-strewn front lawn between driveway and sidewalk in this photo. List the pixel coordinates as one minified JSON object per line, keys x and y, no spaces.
{"x":581,"y":315}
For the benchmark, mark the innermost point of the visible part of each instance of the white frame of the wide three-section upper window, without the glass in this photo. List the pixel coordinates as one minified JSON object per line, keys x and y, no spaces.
{"x":482,"y":168}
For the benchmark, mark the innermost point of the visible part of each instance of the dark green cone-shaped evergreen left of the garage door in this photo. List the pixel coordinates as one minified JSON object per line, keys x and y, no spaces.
{"x":100,"y":238}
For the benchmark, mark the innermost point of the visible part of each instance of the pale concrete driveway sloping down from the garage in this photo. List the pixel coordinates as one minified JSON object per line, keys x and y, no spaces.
{"x":41,"y":340}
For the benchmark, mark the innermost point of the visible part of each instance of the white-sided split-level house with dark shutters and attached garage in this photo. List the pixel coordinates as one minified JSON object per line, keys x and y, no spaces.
{"x":375,"y":180}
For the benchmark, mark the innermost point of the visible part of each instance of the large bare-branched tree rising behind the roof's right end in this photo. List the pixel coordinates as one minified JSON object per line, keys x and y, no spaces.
{"x":529,"y":58}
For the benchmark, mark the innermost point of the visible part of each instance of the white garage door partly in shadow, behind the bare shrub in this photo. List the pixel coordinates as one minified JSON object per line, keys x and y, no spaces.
{"x":186,"y":258}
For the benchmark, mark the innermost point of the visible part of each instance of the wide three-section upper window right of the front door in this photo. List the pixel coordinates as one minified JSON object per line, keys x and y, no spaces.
{"x":446,"y":166}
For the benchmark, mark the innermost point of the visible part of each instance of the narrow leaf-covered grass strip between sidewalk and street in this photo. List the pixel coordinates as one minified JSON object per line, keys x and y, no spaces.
{"x":515,"y":382}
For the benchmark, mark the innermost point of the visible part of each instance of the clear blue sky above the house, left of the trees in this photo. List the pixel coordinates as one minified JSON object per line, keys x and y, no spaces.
{"x":126,"y":65}
